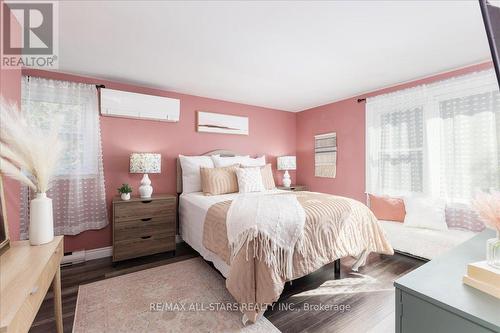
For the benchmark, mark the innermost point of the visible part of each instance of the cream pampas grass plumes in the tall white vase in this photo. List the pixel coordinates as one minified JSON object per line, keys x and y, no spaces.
{"x":27,"y":154}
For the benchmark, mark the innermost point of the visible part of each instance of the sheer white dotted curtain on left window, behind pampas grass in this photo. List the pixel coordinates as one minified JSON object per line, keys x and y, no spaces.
{"x":78,"y":192}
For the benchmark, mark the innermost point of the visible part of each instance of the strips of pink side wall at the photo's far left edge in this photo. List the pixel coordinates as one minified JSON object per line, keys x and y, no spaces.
{"x":10,"y":89}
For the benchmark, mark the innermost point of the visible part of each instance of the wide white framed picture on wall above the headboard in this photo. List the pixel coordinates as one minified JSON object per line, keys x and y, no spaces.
{"x":210,"y":122}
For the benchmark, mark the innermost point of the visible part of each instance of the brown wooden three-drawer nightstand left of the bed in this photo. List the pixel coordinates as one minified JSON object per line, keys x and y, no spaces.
{"x":144,"y":226}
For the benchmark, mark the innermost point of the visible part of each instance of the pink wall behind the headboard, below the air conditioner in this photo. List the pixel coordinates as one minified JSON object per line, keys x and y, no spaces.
{"x":272,"y":132}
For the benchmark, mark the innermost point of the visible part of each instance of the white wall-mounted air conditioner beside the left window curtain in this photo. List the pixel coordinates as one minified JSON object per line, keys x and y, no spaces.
{"x":119,"y":103}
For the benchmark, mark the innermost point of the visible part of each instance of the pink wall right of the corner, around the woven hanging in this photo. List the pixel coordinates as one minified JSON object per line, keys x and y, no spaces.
{"x":347,"y":118}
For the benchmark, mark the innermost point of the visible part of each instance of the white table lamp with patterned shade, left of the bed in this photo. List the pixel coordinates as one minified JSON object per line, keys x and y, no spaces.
{"x":145,"y":163}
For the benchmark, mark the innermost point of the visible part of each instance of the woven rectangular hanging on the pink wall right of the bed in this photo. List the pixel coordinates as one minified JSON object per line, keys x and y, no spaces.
{"x":325,"y":155}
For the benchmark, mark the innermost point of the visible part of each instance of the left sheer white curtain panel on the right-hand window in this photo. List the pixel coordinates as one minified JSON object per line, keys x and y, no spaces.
{"x":394,"y":146}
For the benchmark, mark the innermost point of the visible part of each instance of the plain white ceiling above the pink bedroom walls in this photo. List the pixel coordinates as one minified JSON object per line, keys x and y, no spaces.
{"x":285,"y":55}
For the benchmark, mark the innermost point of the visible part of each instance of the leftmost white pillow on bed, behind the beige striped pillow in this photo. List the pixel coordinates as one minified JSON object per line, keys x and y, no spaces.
{"x":190,"y":165}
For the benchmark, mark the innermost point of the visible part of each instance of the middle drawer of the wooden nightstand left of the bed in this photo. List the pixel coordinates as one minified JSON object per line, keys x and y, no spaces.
{"x":144,"y":227}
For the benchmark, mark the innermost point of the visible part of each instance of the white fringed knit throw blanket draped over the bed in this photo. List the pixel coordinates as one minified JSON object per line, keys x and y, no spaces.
{"x":275,"y":222}
